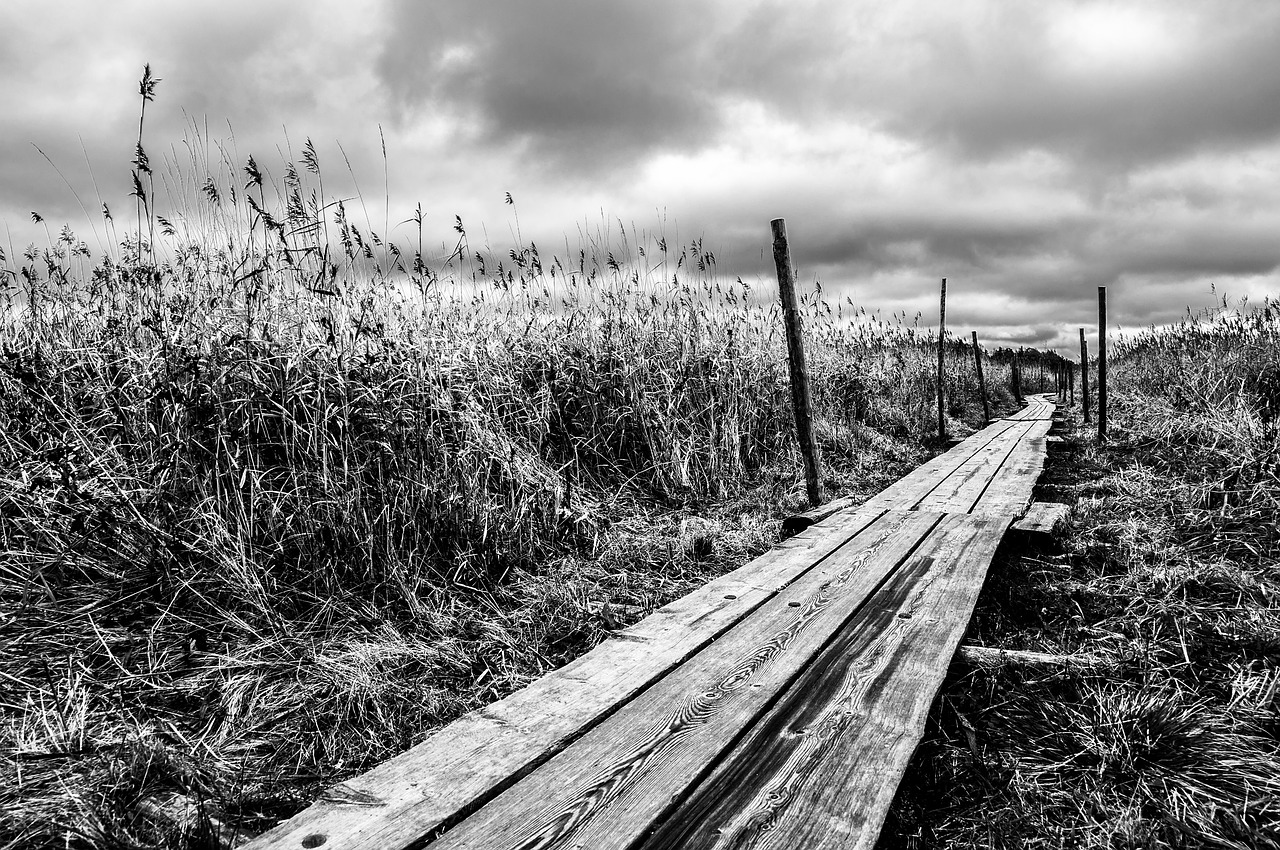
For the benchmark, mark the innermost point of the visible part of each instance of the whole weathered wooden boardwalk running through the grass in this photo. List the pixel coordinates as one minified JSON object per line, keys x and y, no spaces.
{"x":775,"y":707}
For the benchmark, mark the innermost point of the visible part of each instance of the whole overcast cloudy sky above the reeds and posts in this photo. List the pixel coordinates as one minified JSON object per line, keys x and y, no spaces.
{"x":1030,"y":153}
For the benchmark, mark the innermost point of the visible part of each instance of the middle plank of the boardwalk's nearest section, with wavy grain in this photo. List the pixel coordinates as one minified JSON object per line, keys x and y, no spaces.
{"x":619,"y":782}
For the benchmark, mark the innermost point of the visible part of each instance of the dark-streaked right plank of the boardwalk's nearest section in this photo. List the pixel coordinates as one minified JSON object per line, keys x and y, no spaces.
{"x":822,"y":766}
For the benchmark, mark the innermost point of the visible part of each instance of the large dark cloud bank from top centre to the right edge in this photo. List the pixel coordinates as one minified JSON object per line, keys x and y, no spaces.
{"x":592,"y":85}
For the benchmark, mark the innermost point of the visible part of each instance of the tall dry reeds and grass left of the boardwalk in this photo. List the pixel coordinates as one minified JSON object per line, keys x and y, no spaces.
{"x":280,"y":497}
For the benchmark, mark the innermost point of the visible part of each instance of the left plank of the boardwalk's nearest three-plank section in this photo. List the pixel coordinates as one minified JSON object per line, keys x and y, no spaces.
{"x":472,"y":760}
